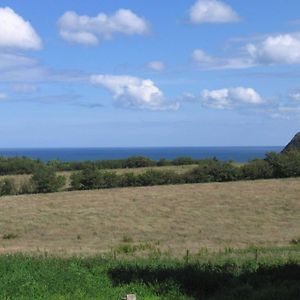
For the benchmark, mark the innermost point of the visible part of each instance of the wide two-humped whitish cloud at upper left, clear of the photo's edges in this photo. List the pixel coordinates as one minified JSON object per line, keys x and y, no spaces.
{"x":91,"y":30}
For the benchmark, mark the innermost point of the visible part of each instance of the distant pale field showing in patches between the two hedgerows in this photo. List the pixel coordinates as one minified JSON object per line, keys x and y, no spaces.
{"x":19,"y":179}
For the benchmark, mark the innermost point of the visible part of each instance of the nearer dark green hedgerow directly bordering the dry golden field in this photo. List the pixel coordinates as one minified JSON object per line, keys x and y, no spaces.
{"x":45,"y":179}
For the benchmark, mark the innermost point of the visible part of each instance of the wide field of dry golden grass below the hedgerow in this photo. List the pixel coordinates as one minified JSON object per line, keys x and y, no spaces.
{"x":215,"y":215}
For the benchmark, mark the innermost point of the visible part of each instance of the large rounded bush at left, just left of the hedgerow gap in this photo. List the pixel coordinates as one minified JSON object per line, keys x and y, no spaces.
{"x":45,"y":180}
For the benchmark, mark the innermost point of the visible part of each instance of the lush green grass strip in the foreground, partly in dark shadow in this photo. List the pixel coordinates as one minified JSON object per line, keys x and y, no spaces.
{"x":272,"y":273}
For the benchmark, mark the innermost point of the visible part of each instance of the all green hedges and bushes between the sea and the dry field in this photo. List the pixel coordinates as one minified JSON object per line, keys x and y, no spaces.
{"x":91,"y":175}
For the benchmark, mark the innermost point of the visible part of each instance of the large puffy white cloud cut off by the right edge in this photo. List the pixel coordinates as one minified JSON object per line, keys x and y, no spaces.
{"x":277,"y":49}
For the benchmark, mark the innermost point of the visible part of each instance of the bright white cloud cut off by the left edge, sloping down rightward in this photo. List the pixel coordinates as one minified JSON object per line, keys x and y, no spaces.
{"x":16,"y":32}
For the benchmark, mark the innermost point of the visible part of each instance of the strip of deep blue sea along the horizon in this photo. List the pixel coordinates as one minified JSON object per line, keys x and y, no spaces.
{"x":238,"y":154}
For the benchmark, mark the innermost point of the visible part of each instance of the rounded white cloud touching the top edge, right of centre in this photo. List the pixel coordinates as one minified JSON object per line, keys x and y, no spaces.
{"x":212,"y":11}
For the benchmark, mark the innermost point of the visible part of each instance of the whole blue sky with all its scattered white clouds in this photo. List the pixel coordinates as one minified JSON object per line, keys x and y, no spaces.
{"x":128,"y":73}
